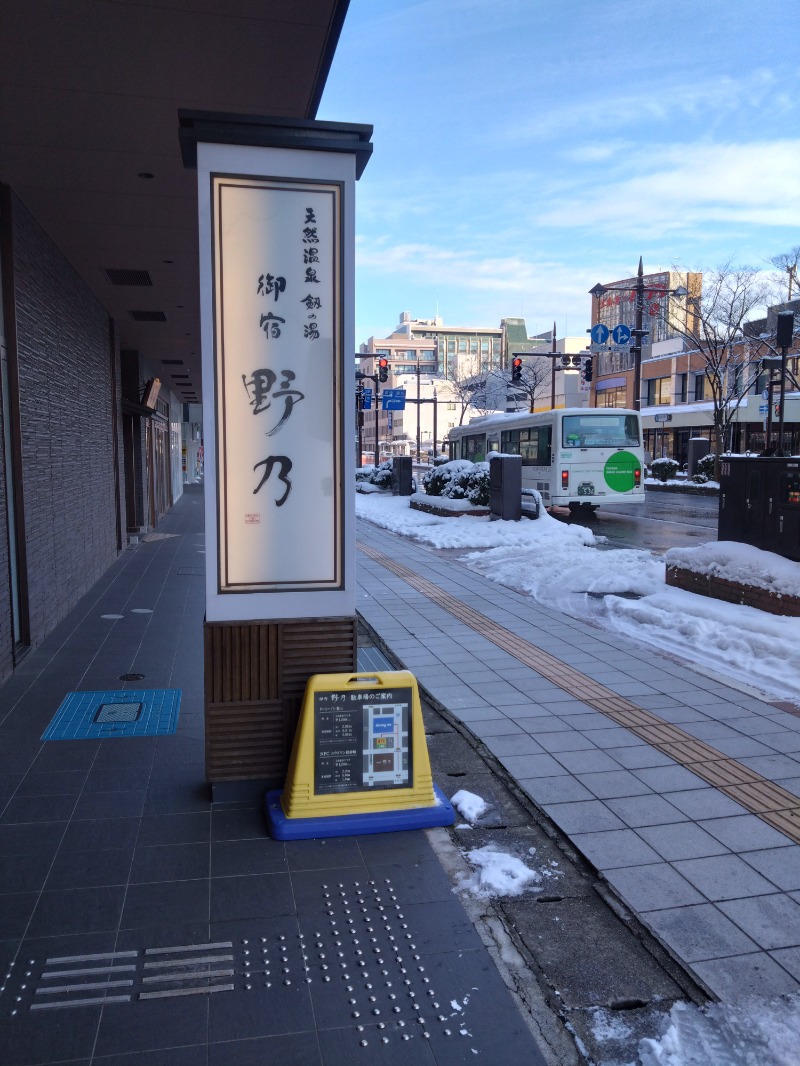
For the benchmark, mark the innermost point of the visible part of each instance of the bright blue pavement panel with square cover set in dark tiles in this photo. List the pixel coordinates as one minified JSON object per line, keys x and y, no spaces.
{"x":83,"y":716}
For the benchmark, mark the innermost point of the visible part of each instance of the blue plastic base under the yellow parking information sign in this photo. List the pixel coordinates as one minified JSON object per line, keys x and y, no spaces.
{"x":355,"y":826}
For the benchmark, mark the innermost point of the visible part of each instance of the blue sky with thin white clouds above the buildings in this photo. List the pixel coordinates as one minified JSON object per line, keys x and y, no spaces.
{"x":525,"y":150}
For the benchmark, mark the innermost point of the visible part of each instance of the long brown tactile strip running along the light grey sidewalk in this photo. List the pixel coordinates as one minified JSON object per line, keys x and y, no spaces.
{"x":769,"y":801}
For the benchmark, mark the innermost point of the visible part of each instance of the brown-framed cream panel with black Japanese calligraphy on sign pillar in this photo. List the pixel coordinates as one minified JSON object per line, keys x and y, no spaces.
{"x":278,"y":348}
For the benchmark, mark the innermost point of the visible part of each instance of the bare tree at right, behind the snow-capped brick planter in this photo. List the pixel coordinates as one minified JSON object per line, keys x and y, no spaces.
{"x":715,"y":328}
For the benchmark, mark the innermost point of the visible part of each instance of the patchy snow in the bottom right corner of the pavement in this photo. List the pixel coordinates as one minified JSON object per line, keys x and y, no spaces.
{"x":755,"y":1033}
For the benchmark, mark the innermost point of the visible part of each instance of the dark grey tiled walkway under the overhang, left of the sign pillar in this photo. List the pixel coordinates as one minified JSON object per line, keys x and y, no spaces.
{"x":140,"y":926}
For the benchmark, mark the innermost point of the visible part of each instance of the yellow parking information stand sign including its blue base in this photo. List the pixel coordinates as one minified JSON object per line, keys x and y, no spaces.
{"x":360,"y":762}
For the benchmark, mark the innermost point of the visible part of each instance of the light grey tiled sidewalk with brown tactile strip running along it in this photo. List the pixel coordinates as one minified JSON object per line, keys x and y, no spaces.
{"x":680,"y":789}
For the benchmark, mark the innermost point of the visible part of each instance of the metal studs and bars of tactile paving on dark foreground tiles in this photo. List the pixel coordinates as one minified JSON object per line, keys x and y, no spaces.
{"x":357,"y":954}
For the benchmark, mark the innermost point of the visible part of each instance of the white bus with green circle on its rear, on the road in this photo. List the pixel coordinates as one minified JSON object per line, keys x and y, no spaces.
{"x":578,"y":458}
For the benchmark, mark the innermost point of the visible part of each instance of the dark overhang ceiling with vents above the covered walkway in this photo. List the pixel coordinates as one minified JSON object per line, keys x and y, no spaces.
{"x":90,"y":94}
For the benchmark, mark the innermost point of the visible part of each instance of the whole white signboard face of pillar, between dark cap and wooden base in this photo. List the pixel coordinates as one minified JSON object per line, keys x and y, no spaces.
{"x":280,"y":496}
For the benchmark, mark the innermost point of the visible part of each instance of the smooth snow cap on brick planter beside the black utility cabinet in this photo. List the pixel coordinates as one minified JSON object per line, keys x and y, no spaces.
{"x":742,"y":563}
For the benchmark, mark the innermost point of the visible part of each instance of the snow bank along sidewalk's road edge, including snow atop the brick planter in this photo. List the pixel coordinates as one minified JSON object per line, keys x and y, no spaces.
{"x":623,"y":591}
